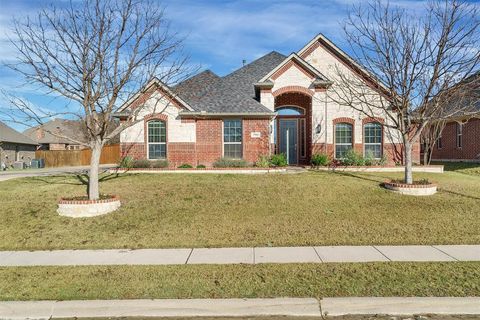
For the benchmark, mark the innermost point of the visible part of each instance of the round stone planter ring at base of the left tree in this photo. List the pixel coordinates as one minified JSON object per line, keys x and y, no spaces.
{"x":87,"y":208}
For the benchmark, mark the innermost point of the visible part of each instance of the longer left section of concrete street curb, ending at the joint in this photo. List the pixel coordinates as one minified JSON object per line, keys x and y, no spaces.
{"x":159,"y":308}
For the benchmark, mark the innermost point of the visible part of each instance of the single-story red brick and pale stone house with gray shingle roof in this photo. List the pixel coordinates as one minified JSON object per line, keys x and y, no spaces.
{"x":276,"y":104}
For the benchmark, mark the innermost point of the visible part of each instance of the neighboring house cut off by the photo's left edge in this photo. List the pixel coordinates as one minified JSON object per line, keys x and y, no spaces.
{"x":15,"y":146}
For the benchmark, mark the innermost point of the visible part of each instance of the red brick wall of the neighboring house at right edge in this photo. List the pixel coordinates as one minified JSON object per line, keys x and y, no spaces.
{"x":470,"y":149}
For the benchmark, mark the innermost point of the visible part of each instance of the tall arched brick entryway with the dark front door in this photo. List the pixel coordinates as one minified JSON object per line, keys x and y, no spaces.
{"x":293,"y":126}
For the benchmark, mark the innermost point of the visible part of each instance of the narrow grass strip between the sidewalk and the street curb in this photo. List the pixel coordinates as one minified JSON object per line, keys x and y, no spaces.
{"x":241,"y":281}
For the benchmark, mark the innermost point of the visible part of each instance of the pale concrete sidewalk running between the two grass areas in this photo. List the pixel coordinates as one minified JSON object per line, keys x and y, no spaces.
{"x":256,"y":255}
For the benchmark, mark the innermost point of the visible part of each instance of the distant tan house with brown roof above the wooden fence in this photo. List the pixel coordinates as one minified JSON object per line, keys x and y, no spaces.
{"x":45,"y":135}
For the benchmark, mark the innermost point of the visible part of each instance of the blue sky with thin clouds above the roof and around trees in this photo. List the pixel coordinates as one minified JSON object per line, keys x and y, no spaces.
{"x":219,"y":34}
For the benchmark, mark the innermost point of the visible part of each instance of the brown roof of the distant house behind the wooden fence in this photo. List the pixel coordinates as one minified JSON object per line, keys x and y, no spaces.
{"x":69,"y":128}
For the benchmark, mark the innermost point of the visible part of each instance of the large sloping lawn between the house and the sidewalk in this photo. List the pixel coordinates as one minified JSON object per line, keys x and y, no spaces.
{"x":188,"y":210}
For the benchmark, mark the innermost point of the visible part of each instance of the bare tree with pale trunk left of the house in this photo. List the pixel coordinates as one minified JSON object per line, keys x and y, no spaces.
{"x":96,"y":54}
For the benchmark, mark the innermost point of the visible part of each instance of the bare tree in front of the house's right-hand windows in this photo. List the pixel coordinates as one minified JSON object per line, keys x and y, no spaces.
{"x":414,"y":61}
